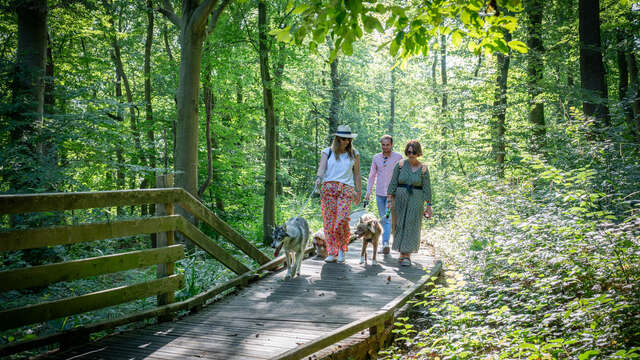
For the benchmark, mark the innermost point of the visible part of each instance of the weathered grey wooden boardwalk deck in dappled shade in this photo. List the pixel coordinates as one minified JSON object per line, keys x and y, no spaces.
{"x":271,"y":316}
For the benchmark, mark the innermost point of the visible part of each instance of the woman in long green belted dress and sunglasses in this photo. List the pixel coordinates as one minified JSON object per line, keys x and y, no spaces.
{"x":408,"y":193}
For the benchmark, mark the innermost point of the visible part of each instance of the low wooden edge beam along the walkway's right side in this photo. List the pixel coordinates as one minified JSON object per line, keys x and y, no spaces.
{"x":376,"y":320}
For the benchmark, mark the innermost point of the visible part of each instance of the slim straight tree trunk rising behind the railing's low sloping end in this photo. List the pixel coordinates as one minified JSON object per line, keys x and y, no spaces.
{"x":268,"y":214}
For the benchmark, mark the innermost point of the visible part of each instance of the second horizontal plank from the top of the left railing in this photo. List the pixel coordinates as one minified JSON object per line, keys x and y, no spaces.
{"x":62,"y":235}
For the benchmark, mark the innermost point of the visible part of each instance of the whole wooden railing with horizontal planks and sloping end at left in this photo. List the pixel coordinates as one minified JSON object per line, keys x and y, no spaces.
{"x":164,"y":286}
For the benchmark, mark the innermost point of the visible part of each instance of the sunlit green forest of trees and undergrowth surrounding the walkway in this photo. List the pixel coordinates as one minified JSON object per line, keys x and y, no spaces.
{"x":528,"y":112}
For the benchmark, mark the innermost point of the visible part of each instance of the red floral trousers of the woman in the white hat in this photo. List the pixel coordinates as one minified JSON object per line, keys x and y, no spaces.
{"x":336,"y":207}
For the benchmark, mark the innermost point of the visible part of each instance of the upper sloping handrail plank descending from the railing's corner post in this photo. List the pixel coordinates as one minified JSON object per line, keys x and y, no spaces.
{"x":195,"y":207}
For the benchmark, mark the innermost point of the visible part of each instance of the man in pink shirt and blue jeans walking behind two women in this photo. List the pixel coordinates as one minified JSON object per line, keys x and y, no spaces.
{"x":382,"y":169}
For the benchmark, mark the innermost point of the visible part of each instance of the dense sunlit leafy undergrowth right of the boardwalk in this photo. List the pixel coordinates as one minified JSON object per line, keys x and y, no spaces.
{"x":546,"y":269}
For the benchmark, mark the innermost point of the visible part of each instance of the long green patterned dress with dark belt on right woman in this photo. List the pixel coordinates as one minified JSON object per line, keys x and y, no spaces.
{"x":409,"y":205}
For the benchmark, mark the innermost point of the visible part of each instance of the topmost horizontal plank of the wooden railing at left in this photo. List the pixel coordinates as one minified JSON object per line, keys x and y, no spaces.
{"x":25,"y":203}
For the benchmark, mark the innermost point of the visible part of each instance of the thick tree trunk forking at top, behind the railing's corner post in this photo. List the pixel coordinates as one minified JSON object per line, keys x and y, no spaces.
{"x":194,"y":29}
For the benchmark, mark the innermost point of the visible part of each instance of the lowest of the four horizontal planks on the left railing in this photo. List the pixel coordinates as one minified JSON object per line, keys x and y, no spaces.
{"x":54,"y":309}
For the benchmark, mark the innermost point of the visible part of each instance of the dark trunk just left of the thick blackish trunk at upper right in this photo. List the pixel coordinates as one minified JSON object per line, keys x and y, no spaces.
{"x":535,"y":71}
